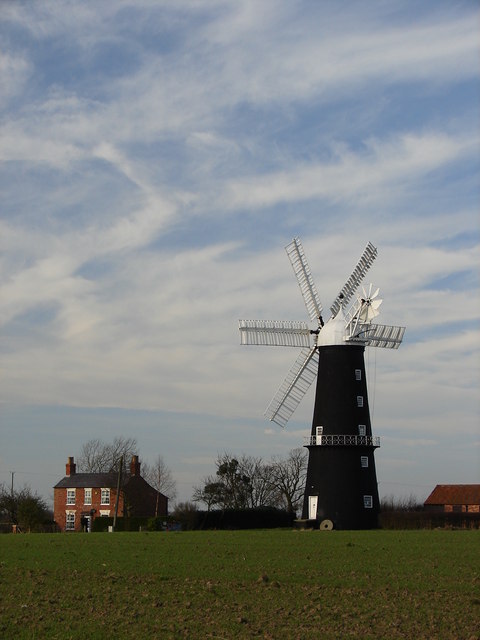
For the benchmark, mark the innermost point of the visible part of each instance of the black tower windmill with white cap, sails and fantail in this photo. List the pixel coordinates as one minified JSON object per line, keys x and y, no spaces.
{"x":341,"y":485}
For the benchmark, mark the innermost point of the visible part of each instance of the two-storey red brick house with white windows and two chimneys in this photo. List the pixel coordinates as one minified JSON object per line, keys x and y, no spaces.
{"x":79,"y":498}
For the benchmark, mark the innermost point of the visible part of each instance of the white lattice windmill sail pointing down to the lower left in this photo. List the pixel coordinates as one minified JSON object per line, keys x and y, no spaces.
{"x":294,"y":387}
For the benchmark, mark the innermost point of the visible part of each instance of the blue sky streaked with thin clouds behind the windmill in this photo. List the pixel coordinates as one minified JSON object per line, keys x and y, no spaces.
{"x":156,"y":158}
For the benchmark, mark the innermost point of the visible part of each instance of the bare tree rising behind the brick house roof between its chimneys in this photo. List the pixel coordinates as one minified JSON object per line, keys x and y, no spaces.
{"x":99,"y":457}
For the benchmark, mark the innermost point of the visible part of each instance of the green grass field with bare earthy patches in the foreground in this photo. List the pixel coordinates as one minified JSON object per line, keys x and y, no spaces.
{"x":241,"y":584}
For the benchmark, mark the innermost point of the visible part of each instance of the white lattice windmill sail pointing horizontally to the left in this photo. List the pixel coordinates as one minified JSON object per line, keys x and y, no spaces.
{"x":278,"y":333}
